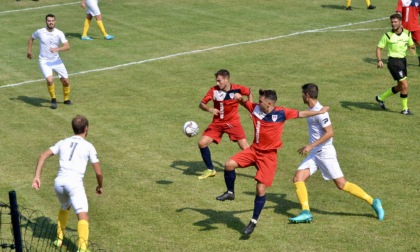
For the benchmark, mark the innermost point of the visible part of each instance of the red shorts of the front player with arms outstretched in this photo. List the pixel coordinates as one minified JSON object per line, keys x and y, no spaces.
{"x":265,"y":161}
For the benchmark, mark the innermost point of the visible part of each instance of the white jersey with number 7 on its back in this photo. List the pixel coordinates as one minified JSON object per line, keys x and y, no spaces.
{"x":74,"y":152}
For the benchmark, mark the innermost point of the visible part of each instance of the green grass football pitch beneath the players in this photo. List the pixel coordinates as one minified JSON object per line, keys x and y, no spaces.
{"x":139,"y":89}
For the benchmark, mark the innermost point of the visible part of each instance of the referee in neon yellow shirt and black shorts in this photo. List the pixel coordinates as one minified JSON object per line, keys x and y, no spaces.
{"x":396,"y":41}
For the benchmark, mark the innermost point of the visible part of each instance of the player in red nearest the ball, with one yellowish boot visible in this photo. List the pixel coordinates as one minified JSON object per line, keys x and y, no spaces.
{"x":225,"y":117}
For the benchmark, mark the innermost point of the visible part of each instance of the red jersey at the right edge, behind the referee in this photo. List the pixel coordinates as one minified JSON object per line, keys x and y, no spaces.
{"x":410,"y":14}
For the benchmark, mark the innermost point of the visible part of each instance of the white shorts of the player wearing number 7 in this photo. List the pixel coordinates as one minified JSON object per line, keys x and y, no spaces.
{"x":71,"y":194}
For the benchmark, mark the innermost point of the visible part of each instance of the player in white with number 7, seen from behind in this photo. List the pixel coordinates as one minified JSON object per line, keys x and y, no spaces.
{"x":74,"y":153}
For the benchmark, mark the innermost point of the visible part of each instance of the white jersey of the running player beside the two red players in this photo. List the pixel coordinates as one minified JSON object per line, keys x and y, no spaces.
{"x":316,"y":125}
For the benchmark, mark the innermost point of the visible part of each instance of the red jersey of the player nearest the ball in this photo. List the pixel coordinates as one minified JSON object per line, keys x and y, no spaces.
{"x":225,"y":102}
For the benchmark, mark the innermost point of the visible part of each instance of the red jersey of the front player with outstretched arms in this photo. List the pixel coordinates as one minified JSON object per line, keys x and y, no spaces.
{"x":269,"y":127}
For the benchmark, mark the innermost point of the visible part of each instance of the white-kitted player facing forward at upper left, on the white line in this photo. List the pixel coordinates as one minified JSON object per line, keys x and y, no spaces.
{"x":49,"y":59}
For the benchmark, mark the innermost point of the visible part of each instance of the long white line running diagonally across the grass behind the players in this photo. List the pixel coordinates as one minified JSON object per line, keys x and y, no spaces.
{"x":206,"y":50}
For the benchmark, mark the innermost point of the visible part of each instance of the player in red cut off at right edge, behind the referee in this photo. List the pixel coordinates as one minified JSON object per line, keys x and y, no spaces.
{"x":410,"y":10}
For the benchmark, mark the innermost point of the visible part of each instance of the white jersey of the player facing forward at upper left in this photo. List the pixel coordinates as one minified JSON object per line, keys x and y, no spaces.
{"x":49,"y":40}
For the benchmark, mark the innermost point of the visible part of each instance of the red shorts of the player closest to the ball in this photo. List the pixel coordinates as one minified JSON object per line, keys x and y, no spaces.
{"x":216,"y":130}
